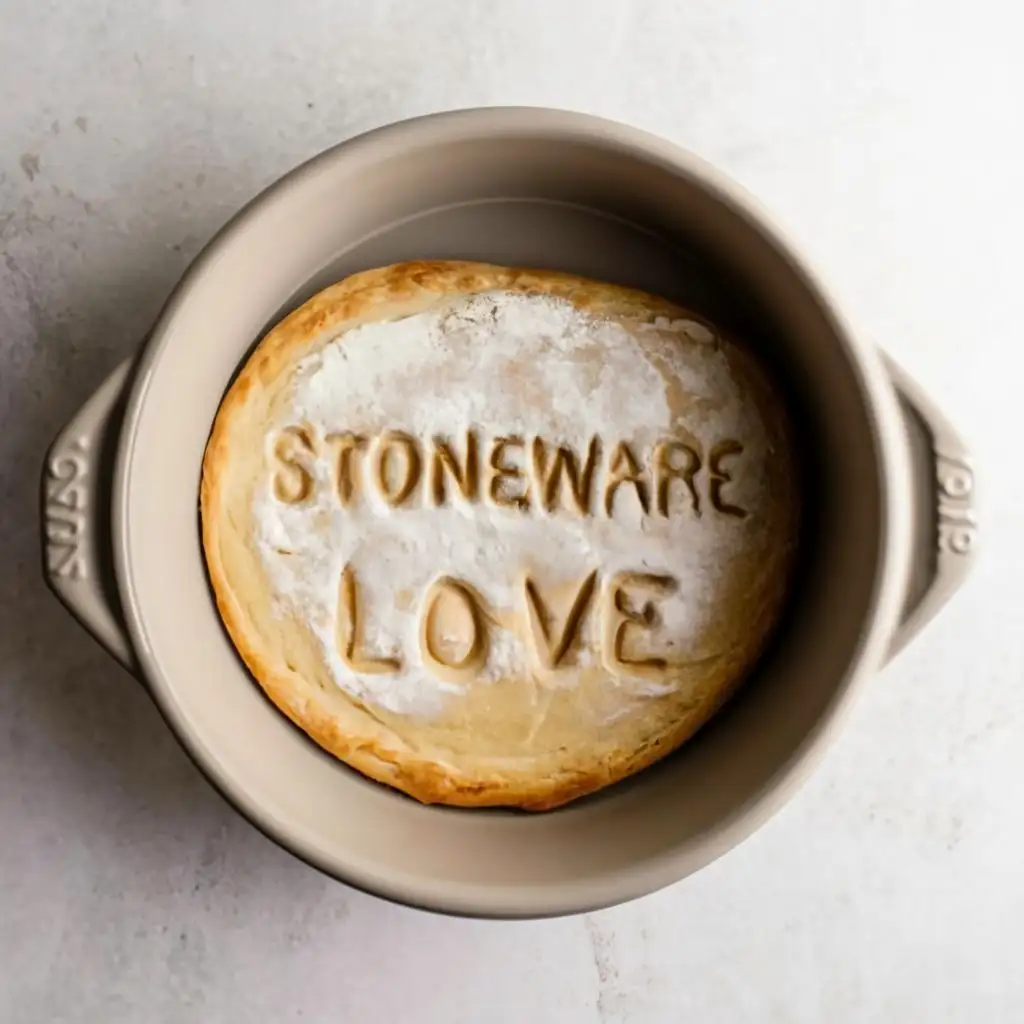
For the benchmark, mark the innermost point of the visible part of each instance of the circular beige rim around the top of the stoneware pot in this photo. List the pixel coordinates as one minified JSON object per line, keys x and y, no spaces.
{"x":890,"y":576}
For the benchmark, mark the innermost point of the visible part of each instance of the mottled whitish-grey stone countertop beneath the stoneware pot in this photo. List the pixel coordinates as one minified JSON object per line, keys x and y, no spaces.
{"x":886,"y":138}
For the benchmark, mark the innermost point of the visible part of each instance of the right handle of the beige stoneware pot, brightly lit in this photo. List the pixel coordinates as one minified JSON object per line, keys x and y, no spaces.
{"x":946,"y":518}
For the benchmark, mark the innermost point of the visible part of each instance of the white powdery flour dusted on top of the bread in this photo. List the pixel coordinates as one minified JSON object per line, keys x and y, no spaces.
{"x":503,"y":365}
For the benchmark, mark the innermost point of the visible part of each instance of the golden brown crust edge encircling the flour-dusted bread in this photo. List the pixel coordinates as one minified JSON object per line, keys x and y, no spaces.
{"x":358,"y":735}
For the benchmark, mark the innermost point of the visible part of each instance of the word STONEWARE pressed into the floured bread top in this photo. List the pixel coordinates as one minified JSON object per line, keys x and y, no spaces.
{"x":534,"y":476}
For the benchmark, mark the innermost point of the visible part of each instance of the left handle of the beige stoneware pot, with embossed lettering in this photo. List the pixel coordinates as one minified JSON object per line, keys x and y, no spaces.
{"x":76,"y":517}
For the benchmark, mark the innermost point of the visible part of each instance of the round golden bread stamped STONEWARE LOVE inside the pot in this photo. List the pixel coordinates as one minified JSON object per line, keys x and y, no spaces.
{"x":498,"y":537}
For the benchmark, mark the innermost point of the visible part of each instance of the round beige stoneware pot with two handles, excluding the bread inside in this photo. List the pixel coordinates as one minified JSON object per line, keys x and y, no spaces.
{"x":890,"y":528}
